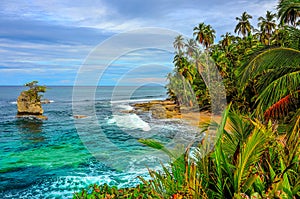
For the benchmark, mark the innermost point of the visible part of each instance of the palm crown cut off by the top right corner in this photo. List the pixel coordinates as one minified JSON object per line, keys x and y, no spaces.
{"x":289,"y":11}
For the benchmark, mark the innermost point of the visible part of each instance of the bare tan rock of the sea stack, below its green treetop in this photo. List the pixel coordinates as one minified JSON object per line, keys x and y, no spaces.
{"x":30,"y":106}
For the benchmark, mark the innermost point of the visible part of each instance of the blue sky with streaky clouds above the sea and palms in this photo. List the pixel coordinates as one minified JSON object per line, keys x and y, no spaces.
{"x":105,"y":42}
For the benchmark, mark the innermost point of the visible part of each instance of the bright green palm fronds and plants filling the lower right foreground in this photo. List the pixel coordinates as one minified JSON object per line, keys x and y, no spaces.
{"x":247,"y":161}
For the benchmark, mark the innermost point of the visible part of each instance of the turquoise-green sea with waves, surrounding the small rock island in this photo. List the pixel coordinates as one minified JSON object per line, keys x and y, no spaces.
{"x":56,"y":157}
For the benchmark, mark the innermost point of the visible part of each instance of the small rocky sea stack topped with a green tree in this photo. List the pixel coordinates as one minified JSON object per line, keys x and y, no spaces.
{"x":29,"y":102}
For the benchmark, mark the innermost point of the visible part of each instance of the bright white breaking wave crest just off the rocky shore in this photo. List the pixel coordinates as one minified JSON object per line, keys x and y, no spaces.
{"x":129,"y":121}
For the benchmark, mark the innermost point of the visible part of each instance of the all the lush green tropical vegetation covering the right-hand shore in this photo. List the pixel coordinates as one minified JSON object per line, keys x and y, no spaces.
{"x":254,"y":151}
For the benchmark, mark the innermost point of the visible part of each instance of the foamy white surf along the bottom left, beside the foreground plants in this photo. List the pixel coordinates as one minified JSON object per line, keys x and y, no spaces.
{"x":64,"y":187}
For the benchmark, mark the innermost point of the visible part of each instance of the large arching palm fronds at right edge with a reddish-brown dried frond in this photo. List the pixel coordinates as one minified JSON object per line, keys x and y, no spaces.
{"x":276,"y":74}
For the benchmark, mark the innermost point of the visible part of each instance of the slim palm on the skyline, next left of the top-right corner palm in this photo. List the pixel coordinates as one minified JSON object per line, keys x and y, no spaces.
{"x":267,"y":25}
